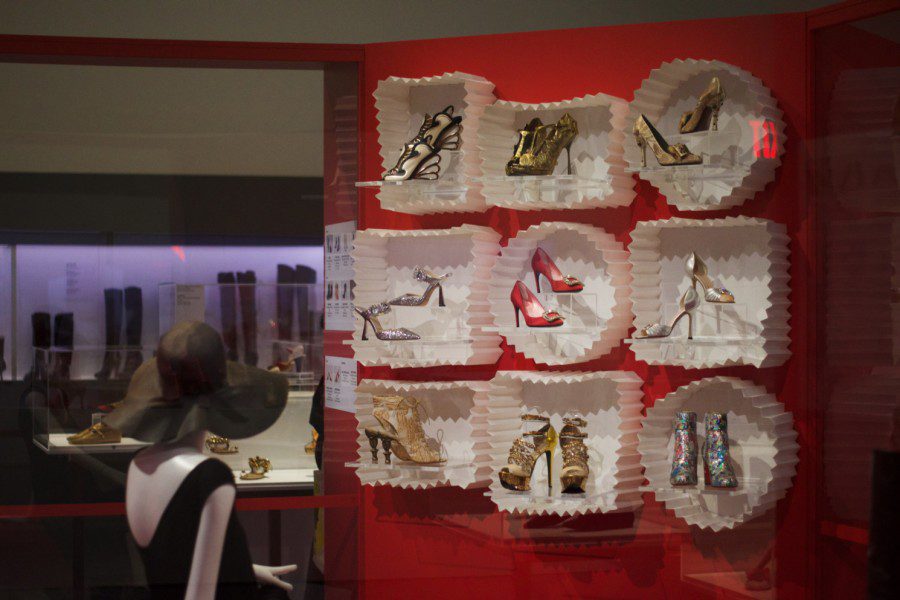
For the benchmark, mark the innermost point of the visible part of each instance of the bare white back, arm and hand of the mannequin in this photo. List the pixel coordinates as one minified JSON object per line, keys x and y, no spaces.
{"x":154,"y":476}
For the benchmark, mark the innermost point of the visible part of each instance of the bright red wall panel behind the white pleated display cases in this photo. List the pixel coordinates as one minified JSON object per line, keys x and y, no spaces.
{"x":450,"y":543}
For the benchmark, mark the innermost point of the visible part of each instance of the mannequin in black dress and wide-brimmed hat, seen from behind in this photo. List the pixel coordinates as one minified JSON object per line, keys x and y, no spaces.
{"x":180,"y":503}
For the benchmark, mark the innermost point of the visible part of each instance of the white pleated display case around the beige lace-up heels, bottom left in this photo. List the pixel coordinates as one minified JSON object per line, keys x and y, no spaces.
{"x":453,"y":415}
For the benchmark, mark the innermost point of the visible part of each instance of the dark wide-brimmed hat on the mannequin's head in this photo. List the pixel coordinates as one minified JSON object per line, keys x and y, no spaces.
{"x":190,"y":386}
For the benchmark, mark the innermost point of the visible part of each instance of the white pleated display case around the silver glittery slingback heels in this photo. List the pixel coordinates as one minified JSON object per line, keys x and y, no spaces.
{"x":457,"y":333}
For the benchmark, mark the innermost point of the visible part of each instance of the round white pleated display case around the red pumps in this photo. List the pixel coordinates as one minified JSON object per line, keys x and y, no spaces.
{"x":596,"y":319}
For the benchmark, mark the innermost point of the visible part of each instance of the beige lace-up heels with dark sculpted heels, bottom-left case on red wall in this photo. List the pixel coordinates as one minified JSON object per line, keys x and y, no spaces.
{"x":400,"y":430}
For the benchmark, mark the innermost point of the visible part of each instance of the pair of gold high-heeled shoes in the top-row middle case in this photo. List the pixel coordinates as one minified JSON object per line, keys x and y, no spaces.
{"x":540,"y":145}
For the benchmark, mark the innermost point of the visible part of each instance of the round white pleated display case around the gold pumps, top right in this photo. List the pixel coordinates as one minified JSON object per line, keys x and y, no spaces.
{"x":739,"y":158}
